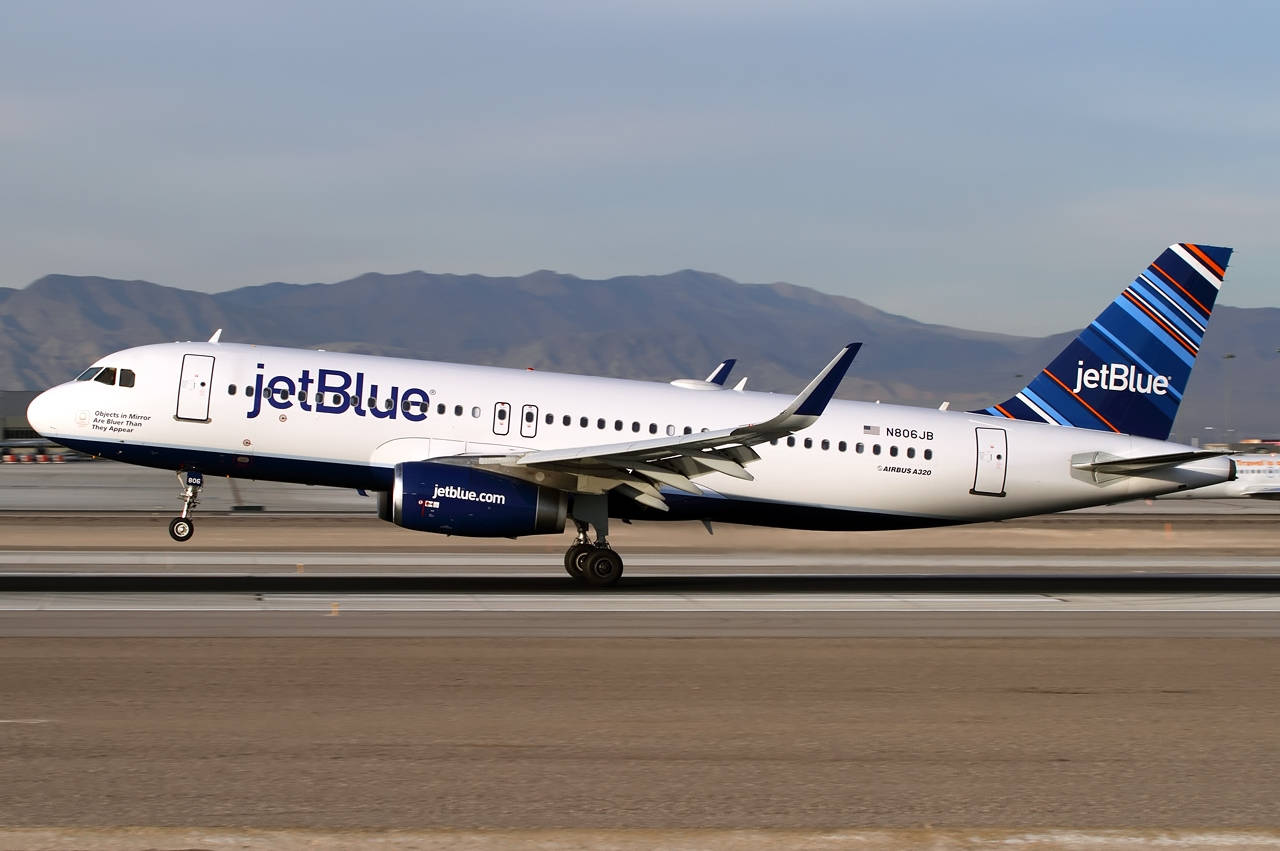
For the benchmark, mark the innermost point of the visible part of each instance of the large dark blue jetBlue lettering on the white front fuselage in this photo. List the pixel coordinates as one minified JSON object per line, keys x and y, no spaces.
{"x":337,"y":392}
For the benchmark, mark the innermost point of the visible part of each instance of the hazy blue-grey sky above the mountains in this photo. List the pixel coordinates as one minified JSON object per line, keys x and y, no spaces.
{"x":989,"y":164}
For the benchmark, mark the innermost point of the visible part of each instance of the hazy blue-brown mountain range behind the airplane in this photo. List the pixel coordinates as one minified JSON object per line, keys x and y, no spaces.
{"x":659,"y":327}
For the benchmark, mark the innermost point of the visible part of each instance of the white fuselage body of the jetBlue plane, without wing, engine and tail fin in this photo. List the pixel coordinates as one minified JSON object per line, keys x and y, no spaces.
{"x":862,"y":466}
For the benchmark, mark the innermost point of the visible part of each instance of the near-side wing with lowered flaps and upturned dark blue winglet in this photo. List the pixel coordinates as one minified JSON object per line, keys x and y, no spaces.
{"x":639,"y":468}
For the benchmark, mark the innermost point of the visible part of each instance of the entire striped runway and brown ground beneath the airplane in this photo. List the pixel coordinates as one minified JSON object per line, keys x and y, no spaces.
{"x":332,"y":672}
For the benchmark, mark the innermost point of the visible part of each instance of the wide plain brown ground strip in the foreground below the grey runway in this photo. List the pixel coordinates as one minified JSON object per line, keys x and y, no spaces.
{"x":641,"y":734}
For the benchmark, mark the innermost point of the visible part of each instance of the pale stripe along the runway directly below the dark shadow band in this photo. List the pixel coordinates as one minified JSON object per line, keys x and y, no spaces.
{"x":579,"y":602}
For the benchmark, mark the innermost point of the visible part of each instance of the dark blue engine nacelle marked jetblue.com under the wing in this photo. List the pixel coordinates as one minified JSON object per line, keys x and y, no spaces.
{"x":461,"y":501}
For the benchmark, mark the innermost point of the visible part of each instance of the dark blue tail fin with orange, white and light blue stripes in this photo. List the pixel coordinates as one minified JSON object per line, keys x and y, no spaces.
{"x":1127,"y":372}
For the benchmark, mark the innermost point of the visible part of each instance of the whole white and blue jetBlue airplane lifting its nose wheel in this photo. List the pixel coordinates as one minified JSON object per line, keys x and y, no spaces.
{"x":483,"y":451}
